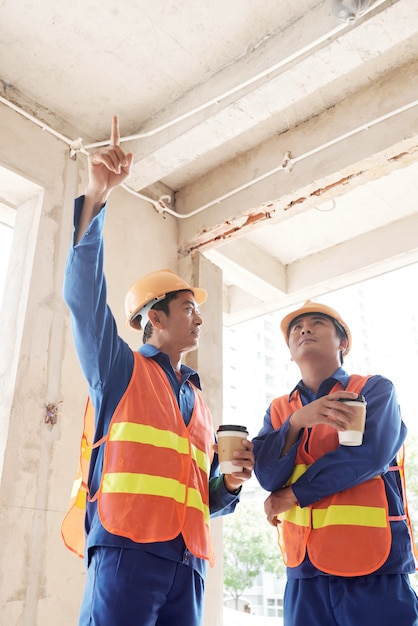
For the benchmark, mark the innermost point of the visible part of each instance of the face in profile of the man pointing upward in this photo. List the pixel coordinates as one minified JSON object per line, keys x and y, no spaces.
{"x":182,"y":325}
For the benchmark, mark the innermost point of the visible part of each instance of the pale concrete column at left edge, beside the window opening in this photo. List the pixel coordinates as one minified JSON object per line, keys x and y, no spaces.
{"x":33,"y":576}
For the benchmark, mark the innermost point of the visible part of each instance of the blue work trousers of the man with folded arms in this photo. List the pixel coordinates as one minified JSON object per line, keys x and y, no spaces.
{"x":383,"y":600}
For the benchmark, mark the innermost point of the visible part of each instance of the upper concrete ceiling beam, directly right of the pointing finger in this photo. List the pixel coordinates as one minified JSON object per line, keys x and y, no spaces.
{"x":281,"y":99}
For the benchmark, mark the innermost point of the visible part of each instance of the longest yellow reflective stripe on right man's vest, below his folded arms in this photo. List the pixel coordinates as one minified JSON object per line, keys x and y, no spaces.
{"x":337,"y":515}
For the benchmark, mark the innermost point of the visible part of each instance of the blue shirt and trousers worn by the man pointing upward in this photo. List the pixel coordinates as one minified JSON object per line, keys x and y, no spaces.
{"x":128,"y":583}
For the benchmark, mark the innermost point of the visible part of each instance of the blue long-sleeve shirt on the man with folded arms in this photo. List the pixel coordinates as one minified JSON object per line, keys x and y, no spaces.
{"x":345,"y":466}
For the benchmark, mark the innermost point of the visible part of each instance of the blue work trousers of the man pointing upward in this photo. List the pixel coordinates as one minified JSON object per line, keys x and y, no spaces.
{"x":128,"y":587}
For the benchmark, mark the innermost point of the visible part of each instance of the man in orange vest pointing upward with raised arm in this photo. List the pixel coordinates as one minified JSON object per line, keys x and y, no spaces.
{"x":153,"y":476}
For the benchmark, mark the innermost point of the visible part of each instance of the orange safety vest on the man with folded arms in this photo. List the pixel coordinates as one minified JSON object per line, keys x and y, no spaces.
{"x":345,"y":534}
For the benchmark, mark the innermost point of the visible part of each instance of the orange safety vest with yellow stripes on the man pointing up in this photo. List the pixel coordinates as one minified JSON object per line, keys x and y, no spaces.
{"x":155,"y":477}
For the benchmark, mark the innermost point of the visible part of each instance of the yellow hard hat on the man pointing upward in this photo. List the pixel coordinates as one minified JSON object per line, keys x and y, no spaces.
{"x":151,"y":288}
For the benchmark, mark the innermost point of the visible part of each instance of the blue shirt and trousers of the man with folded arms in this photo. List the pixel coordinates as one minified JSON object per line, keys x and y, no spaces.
{"x":312,"y":597}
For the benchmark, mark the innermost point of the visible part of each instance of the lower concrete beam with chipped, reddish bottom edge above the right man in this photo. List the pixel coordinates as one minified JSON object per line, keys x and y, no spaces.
{"x":345,"y":146}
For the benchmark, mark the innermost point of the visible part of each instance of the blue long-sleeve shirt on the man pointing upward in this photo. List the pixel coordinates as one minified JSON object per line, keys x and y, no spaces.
{"x":107,"y":364}
